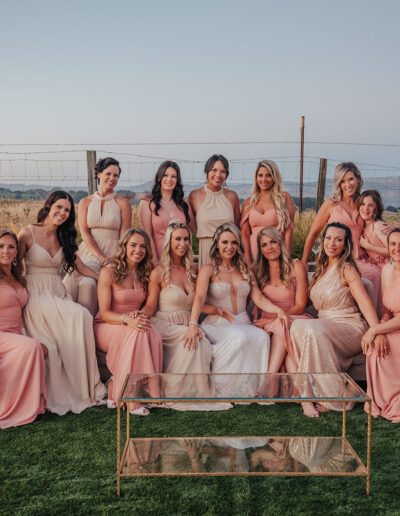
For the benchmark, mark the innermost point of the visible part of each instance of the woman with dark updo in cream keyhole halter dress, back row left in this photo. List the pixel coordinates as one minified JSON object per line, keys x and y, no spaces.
{"x":103,"y":218}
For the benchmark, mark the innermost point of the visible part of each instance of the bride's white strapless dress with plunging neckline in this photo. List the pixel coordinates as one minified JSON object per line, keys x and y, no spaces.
{"x":238,"y":346}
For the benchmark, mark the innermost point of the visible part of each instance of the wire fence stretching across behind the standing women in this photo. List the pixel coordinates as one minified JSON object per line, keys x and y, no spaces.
{"x":47,"y":166}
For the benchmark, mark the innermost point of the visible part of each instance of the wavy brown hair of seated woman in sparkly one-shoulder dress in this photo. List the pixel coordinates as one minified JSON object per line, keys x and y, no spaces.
{"x":346,"y":256}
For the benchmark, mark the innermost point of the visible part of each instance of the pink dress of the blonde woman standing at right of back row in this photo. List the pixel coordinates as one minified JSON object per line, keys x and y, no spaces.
{"x":368,"y":270}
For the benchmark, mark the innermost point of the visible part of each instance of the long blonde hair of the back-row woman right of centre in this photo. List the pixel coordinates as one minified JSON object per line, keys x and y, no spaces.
{"x":278,"y":196}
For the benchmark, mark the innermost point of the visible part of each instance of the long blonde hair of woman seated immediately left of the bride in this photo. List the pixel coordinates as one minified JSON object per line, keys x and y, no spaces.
{"x":166,"y":259}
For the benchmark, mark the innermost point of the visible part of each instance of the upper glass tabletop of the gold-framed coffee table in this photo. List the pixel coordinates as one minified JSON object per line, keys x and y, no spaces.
{"x":243,"y":387}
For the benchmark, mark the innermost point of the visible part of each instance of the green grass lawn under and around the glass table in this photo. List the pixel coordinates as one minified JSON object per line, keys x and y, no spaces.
{"x":67,"y":465}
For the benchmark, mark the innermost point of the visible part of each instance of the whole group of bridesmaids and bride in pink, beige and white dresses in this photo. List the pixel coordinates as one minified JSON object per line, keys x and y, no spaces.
{"x":242,"y":310}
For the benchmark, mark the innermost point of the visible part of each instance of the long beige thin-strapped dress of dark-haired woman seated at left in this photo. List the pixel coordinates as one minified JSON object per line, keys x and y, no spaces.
{"x":66,"y":328}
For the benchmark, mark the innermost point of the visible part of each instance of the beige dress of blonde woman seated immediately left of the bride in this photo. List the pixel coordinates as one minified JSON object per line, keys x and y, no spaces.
{"x":172,"y":321}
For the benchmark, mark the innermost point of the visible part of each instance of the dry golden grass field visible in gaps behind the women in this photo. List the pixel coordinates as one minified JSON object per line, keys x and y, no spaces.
{"x":15,"y":214}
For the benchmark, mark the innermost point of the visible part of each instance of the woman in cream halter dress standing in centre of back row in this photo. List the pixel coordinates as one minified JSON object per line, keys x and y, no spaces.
{"x":213,"y":204}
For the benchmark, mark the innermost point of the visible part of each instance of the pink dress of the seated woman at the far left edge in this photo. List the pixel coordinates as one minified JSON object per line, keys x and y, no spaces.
{"x":22,"y":365}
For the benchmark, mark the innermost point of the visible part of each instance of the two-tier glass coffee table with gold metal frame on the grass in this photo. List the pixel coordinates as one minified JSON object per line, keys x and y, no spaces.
{"x":246,"y":456}
